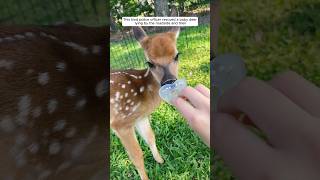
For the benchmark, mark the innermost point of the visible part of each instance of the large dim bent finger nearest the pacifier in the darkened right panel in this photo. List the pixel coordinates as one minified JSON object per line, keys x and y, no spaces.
{"x":269,"y":110}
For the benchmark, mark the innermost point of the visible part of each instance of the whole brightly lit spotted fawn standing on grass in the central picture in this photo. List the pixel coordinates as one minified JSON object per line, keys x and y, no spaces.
{"x":134,"y":93}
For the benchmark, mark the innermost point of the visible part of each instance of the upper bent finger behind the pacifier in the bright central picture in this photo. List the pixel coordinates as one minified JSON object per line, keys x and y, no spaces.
{"x":194,"y":96}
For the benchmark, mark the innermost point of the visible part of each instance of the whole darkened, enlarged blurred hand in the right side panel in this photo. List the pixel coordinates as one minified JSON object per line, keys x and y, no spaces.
{"x":287,"y":110}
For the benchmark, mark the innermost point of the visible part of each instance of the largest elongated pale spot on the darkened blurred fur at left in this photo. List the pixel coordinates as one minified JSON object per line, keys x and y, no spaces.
{"x":24,"y":107}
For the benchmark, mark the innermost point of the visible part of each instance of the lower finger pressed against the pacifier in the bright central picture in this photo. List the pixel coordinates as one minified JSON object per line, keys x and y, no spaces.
{"x":186,"y":109}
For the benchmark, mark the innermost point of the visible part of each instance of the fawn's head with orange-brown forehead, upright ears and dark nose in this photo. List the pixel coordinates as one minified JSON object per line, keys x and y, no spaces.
{"x":161,"y":53}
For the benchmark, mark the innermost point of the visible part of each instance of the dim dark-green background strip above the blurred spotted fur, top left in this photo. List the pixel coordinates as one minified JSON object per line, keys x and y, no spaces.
{"x":49,"y":12}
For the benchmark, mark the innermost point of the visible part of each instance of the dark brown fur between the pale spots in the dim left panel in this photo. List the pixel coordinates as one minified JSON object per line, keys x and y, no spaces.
{"x":82,"y":71}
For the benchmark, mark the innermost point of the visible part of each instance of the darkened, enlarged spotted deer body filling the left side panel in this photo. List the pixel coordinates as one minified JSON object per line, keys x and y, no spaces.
{"x":53,"y":103}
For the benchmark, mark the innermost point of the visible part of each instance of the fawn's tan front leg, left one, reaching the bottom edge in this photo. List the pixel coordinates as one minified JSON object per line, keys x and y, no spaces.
{"x":128,"y":138}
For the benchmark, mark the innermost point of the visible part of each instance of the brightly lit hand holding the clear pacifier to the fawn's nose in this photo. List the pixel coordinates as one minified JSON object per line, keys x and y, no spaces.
{"x":194,"y":104}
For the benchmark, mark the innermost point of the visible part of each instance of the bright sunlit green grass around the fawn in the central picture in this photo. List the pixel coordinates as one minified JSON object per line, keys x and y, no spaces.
{"x":186,"y":156}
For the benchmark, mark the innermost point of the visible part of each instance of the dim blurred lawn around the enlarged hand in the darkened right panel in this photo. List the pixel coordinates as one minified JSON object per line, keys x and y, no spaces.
{"x":272,"y":36}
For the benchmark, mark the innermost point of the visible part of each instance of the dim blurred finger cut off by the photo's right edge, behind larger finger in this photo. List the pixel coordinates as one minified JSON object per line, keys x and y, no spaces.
{"x":300,"y":91}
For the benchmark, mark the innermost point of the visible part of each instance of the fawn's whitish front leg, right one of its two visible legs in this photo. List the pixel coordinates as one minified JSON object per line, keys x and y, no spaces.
{"x":144,"y":129}
